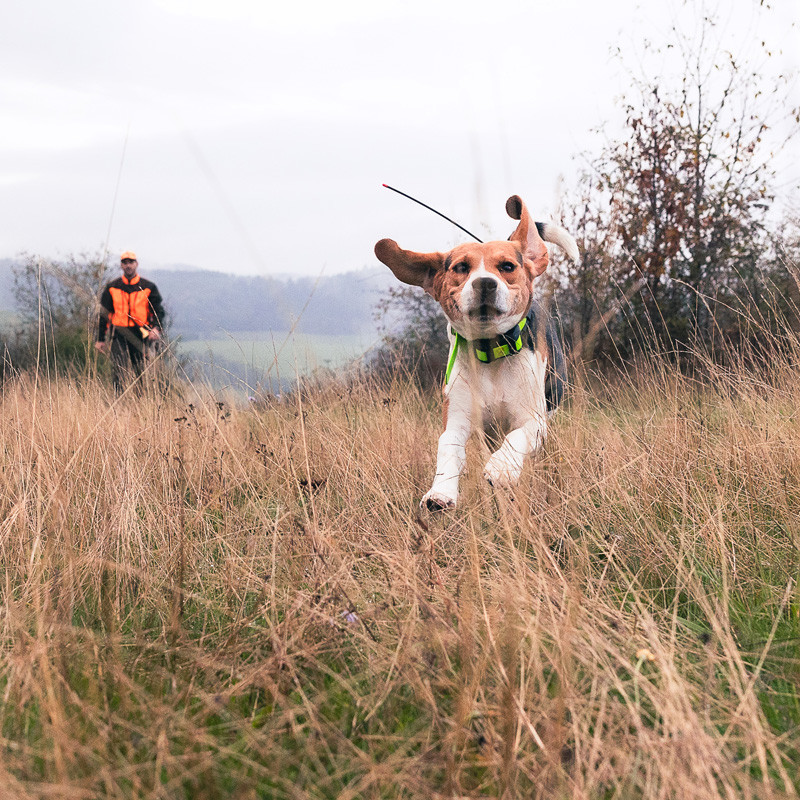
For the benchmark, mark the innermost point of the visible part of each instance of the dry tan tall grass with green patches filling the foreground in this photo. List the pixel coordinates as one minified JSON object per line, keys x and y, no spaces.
{"x":205,"y":601}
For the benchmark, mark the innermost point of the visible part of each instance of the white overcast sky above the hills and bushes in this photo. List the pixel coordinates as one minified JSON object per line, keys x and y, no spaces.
{"x":254,"y":136}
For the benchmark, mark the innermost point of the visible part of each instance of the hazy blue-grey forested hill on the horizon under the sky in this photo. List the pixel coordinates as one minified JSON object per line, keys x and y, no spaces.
{"x":201,"y":303}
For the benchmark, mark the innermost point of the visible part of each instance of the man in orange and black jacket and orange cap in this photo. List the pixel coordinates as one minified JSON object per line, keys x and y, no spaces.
{"x":131,"y":321}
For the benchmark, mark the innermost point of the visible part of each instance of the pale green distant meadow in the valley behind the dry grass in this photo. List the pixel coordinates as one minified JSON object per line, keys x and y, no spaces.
{"x":247,"y":360}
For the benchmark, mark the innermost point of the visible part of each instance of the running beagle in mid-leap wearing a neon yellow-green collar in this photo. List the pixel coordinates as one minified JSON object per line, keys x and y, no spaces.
{"x":506,"y":368}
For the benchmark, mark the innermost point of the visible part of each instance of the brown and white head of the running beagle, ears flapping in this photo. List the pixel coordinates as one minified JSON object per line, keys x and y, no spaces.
{"x":484,"y":289}
